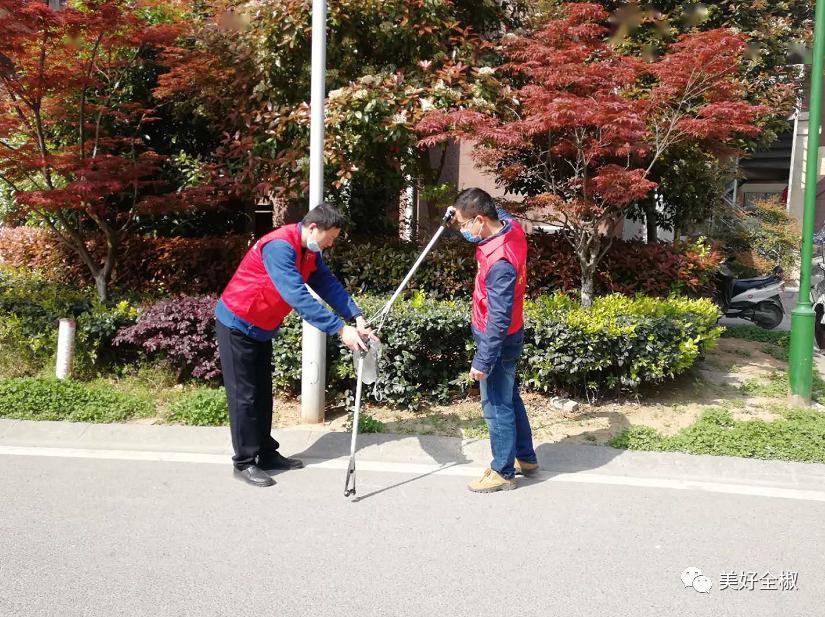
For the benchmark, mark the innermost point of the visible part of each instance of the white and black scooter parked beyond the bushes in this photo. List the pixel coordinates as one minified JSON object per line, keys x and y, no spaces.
{"x":755,"y":299}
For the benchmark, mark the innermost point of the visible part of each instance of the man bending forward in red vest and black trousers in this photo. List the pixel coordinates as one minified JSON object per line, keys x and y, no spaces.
{"x":270,"y":283}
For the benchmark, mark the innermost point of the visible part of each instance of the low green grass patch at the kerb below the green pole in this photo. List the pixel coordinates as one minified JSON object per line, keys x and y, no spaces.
{"x":799,"y":435}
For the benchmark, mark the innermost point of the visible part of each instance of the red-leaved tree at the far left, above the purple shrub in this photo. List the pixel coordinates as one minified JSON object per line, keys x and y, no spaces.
{"x":71,"y":133}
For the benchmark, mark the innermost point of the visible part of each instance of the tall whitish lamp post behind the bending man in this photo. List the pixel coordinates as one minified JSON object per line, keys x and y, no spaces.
{"x":313,"y":356}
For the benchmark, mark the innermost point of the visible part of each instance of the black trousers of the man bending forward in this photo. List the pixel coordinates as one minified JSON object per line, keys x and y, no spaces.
{"x":247,"y":377}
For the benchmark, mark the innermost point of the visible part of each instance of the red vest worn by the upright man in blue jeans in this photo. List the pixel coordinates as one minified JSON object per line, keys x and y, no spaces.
{"x":512,"y":247}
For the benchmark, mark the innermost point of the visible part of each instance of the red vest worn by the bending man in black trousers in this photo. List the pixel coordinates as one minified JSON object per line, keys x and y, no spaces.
{"x":250,"y":293}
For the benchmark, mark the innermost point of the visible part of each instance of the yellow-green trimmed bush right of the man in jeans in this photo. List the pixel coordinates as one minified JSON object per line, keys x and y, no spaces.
{"x":619,"y":343}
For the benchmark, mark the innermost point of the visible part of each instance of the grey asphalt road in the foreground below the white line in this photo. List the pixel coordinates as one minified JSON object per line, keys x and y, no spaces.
{"x":96,"y":537}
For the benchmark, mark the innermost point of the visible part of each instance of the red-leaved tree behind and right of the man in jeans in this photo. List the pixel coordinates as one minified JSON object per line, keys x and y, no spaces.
{"x":579,"y":126}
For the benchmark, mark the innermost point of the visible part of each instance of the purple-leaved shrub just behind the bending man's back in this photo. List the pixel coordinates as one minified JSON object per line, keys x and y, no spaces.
{"x":180,"y":330}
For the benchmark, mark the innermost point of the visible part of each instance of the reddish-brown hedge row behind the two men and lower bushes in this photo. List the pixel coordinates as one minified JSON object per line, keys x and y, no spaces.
{"x":204,"y":265}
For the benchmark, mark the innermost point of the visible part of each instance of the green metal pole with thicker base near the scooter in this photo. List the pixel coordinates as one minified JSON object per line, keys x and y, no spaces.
{"x":802,"y":317}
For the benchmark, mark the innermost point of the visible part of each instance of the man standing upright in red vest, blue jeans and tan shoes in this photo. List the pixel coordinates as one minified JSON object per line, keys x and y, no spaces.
{"x":498,"y":329}
